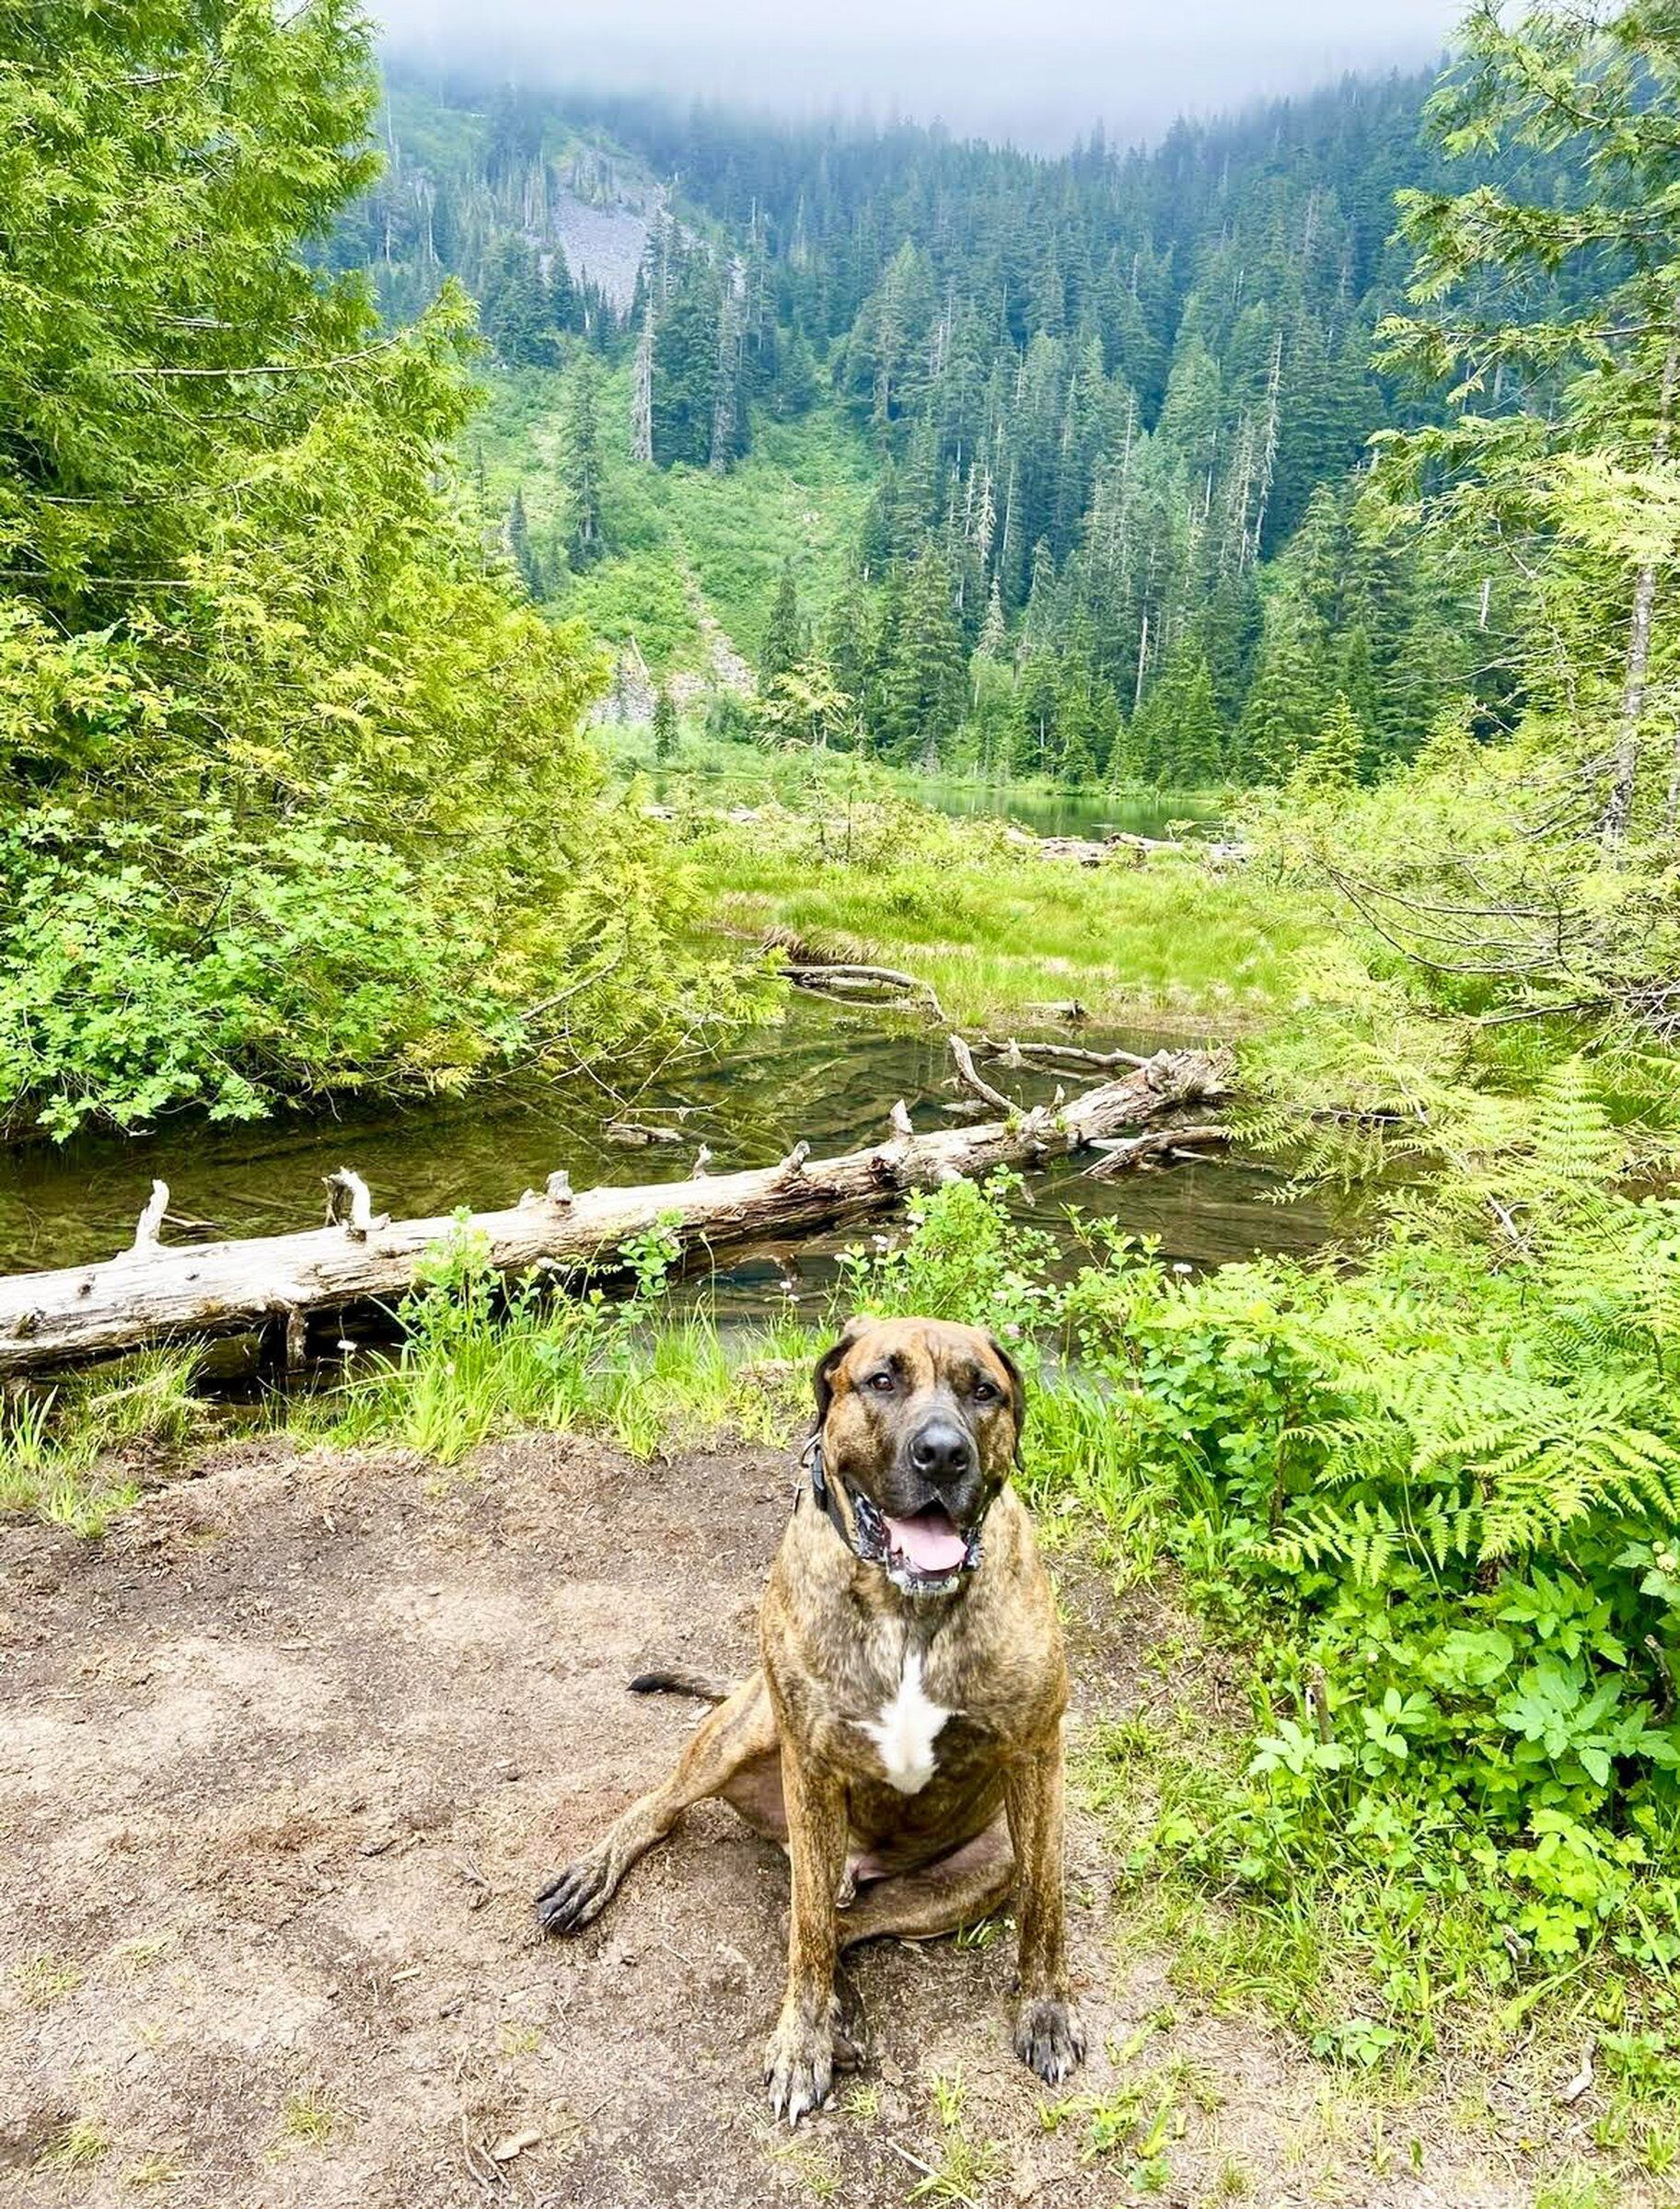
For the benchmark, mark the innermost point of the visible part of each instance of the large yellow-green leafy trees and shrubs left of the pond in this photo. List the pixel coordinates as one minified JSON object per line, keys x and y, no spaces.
{"x":293,"y":790}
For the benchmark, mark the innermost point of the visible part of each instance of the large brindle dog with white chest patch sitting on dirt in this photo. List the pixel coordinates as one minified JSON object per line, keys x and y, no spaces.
{"x":903,"y":1733}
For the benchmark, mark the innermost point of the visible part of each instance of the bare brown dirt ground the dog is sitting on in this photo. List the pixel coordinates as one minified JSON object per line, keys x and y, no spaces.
{"x":282,"y":1764}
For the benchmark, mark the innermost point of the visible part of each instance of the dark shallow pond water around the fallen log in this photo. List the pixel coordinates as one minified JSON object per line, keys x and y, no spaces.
{"x":826,"y":1075}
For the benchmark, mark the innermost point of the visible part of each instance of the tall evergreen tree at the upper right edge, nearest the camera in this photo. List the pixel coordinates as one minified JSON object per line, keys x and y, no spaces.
{"x":1560,"y":487}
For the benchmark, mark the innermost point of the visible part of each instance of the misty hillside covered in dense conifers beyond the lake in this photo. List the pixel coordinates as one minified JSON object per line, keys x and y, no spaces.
{"x":1111,"y":414}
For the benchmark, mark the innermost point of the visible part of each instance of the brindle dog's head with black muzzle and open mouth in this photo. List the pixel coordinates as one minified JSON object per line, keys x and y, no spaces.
{"x":923,"y":1419}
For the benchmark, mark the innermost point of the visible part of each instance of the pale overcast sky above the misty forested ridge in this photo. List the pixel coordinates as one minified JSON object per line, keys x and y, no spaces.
{"x":1038,"y":72}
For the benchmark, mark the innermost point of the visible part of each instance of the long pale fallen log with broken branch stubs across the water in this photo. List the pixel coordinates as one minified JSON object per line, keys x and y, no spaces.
{"x":162,"y":1293}
